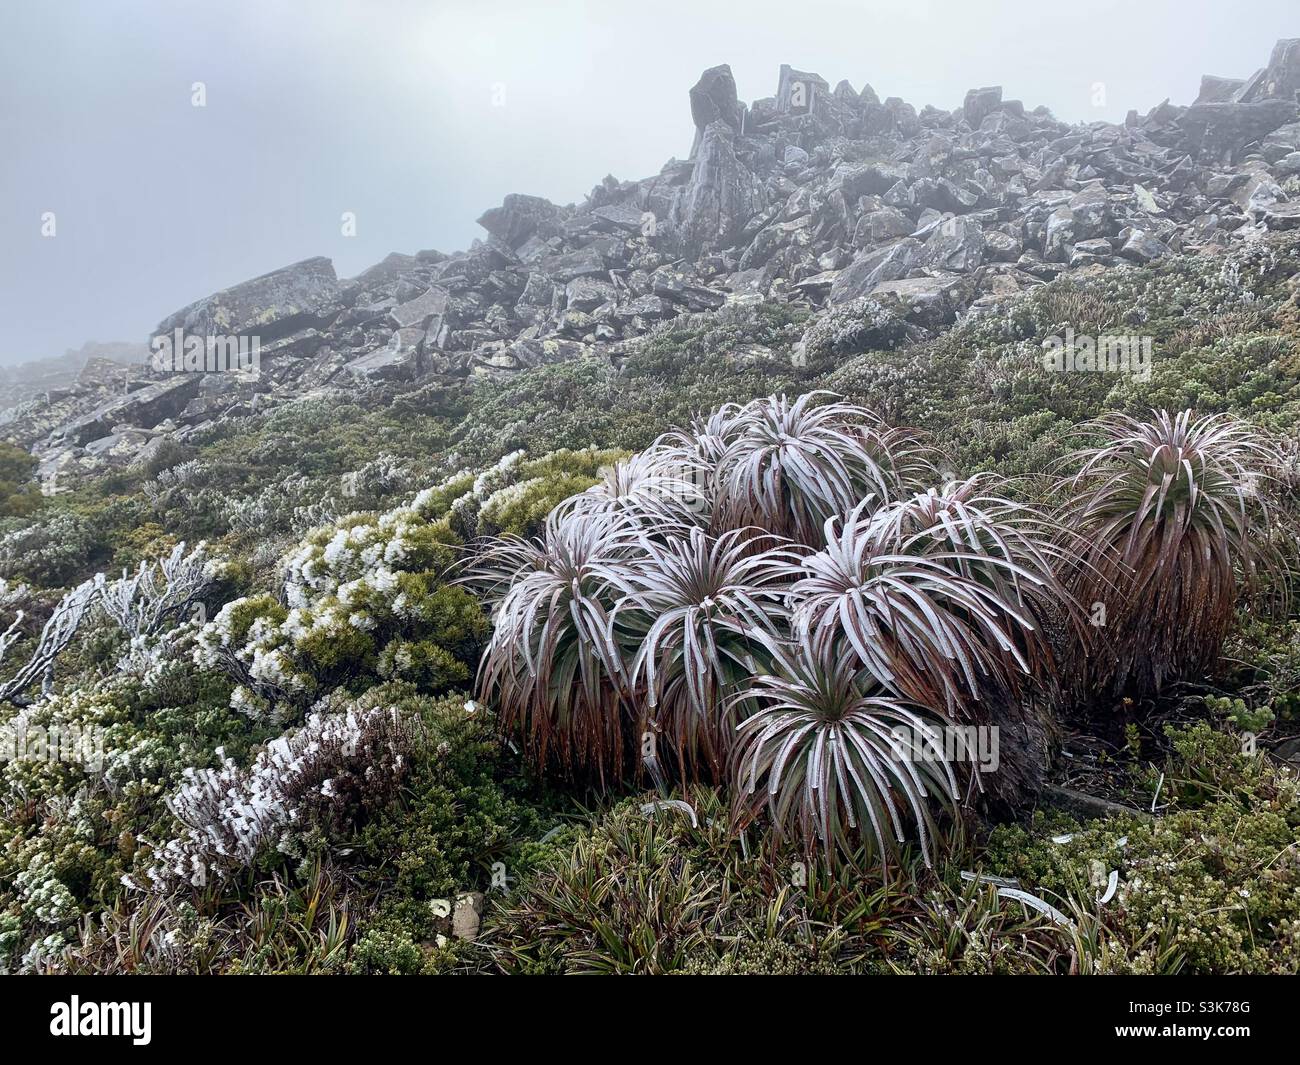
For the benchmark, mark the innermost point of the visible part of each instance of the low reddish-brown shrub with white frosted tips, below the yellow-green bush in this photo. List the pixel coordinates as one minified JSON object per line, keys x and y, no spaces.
{"x":320,"y":777}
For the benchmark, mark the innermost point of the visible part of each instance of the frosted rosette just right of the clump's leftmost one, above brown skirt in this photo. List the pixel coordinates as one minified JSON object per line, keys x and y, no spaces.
{"x":690,"y":608}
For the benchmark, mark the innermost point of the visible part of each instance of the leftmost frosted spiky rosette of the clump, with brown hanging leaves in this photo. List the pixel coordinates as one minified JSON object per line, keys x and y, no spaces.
{"x":554,"y":666}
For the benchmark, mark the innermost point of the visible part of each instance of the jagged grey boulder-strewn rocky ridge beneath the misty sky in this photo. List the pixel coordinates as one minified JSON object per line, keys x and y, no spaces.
{"x":818,"y":197}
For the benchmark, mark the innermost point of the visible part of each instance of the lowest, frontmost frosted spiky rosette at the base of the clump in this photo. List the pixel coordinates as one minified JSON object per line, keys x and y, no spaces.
{"x":833,"y":755}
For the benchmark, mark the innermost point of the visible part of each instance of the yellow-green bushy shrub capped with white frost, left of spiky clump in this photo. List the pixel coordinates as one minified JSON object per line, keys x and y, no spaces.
{"x":371,"y":598}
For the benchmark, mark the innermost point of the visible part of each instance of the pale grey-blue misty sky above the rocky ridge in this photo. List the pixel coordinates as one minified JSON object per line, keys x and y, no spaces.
{"x":418,"y":116}
